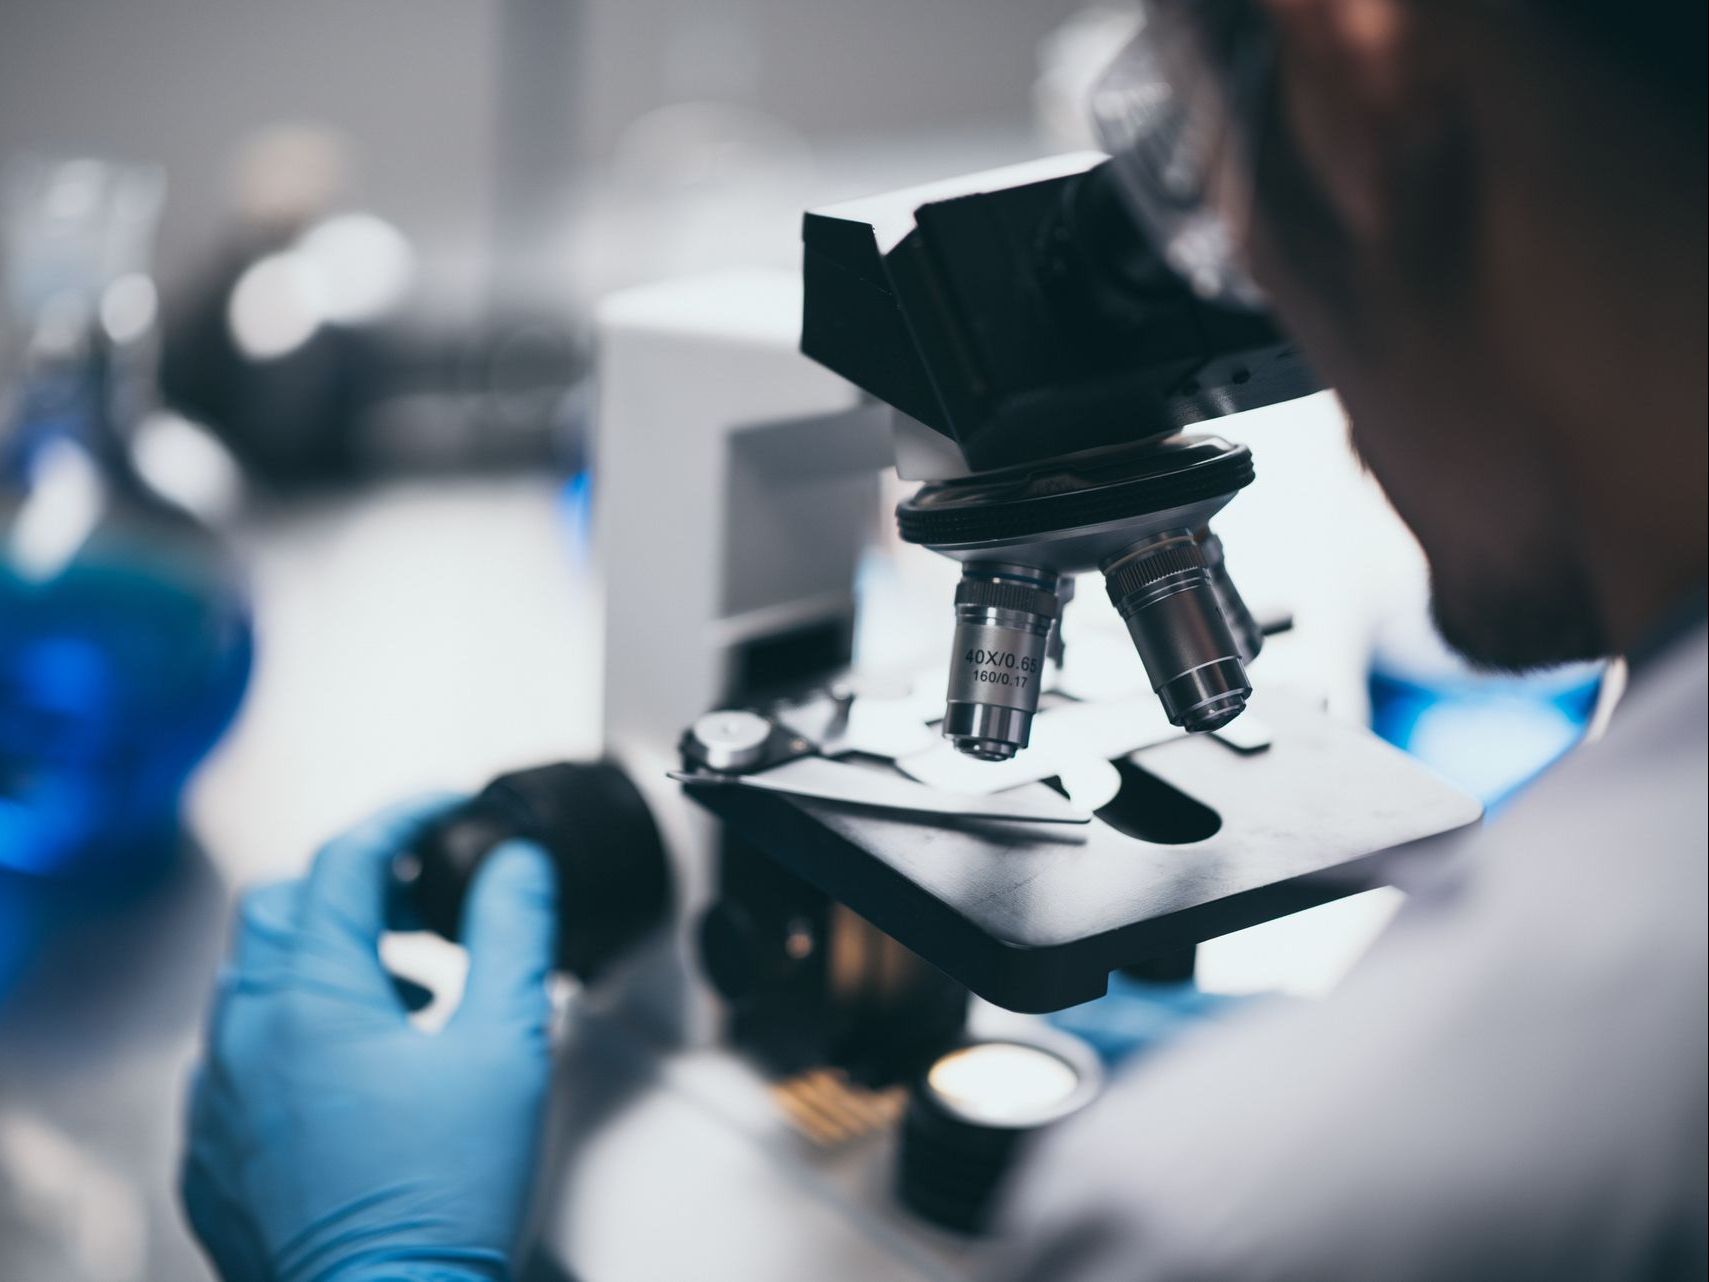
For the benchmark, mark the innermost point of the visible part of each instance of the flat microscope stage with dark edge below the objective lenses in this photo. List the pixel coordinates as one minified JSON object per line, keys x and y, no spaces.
{"x":1204,"y":840}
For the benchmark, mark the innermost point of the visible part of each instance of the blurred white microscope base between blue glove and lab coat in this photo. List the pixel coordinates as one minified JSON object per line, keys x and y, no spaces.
{"x":678,"y":1165}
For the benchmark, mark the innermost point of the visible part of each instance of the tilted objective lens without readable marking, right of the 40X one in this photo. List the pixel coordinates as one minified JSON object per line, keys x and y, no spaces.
{"x":1165,"y":592}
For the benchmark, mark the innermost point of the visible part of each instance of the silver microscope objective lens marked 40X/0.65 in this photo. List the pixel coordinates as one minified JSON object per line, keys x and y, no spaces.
{"x":1004,"y":620}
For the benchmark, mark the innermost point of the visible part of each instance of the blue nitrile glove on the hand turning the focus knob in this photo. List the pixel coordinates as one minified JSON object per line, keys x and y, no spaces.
{"x":332,"y":1139}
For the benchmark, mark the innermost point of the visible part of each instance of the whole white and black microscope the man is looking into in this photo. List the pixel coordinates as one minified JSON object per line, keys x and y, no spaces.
{"x":830,"y":903}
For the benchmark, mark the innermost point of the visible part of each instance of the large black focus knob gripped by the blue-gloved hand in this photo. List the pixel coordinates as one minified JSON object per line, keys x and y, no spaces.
{"x":613,"y":874}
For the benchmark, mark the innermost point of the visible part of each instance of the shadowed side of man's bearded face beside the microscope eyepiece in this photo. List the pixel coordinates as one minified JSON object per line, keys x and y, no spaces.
{"x":1389,"y":302}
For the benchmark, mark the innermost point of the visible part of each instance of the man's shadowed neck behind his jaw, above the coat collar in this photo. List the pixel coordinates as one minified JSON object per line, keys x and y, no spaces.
{"x":1599,"y":312}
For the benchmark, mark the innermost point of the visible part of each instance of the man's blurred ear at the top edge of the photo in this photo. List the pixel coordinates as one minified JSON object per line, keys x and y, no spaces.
{"x":1358,"y":103}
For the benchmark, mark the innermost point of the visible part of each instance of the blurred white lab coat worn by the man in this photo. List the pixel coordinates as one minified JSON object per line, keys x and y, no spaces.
{"x":1512,"y":1086}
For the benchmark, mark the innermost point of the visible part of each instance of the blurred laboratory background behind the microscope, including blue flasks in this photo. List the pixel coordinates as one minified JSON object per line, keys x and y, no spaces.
{"x":295,"y":479}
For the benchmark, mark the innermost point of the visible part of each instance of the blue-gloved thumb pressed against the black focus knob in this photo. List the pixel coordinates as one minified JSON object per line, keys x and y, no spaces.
{"x":510,"y":929}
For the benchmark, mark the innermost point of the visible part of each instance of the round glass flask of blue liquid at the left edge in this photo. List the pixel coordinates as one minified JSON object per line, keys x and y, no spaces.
{"x":126,"y":635}
